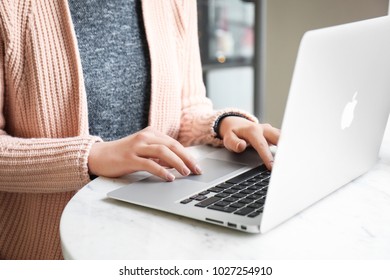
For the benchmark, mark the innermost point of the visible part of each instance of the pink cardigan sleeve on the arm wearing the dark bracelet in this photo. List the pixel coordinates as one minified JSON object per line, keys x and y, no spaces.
{"x":198,"y":117}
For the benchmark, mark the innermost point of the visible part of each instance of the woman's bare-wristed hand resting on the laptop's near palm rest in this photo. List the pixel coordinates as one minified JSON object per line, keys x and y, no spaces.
{"x":146,"y":150}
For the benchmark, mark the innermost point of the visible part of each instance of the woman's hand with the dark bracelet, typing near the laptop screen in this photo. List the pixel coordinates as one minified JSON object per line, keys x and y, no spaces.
{"x":237,"y":133}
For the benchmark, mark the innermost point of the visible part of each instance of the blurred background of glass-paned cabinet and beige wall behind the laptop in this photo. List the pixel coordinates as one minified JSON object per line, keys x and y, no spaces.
{"x":249,"y":47}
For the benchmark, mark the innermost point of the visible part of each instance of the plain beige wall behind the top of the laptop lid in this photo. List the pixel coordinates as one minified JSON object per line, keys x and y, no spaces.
{"x":285,"y":24}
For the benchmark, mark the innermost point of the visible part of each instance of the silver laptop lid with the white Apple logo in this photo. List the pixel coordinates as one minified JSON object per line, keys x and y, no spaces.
{"x":335,"y":117}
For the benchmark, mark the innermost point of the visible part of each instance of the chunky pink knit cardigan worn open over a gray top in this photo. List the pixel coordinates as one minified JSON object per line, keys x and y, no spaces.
{"x":44,"y":140}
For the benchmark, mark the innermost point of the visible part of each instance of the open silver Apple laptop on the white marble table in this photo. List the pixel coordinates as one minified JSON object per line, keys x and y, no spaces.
{"x":337,"y":110}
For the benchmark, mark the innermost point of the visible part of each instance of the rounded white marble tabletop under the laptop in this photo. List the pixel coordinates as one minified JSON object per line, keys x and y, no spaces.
{"x":352,"y":223}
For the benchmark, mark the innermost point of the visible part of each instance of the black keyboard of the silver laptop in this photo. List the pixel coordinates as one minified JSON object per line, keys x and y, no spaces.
{"x":242,"y":195}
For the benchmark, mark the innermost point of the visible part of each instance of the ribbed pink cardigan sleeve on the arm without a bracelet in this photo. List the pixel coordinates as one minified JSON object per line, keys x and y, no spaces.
{"x":42,"y":165}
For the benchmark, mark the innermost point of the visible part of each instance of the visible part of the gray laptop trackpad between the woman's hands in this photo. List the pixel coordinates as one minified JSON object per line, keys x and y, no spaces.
{"x":214,"y":169}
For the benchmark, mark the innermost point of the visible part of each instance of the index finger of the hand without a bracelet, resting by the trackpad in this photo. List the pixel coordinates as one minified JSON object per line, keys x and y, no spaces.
{"x":177,"y":149}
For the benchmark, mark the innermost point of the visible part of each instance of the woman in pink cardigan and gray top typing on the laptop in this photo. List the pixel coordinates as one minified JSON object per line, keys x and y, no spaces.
{"x":58,"y":120}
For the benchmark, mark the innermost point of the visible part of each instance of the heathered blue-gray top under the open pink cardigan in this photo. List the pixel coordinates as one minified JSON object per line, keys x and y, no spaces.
{"x":116,"y":65}
